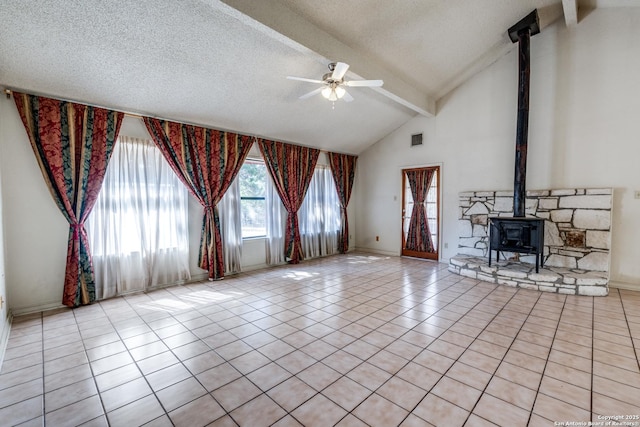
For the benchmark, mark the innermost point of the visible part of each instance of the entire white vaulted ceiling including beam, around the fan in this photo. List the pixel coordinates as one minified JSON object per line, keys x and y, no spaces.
{"x":223,"y":63}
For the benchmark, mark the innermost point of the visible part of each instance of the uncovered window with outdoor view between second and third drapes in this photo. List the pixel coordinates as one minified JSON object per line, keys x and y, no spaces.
{"x":253,"y":180}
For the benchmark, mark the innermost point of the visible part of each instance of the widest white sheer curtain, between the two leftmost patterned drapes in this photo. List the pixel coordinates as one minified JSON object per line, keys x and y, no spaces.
{"x":138,"y":227}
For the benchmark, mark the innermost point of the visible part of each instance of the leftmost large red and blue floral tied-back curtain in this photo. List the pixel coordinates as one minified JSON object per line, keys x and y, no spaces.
{"x":72,"y":143}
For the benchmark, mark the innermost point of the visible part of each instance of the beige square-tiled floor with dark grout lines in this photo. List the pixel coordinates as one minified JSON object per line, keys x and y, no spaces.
{"x":350,"y":340}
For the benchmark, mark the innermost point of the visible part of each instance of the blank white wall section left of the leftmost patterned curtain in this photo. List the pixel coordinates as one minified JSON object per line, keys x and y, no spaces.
{"x":34,"y":229}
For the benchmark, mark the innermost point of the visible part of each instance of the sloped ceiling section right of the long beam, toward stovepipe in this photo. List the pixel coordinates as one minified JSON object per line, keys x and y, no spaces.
{"x":426,"y":43}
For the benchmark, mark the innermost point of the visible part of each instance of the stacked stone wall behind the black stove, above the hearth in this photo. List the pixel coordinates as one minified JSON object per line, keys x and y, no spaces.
{"x":577,"y":224}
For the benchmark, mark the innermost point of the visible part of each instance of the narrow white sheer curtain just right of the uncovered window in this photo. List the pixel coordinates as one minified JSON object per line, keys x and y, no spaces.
{"x":276,"y":223}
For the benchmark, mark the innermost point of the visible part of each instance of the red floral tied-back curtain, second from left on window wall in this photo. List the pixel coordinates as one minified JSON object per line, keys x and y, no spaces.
{"x":206,"y":161}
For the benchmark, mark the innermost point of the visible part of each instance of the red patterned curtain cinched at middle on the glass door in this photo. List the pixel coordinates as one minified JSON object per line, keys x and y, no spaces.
{"x":419,"y":235}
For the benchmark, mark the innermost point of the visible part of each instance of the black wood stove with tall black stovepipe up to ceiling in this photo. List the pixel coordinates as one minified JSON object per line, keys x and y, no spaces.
{"x":518,"y":233}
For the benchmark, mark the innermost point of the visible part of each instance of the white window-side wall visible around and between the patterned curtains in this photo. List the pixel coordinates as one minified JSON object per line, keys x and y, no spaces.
{"x":36,"y":233}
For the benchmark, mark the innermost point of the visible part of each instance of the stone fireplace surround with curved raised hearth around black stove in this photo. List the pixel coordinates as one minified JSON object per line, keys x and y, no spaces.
{"x":577,"y":240}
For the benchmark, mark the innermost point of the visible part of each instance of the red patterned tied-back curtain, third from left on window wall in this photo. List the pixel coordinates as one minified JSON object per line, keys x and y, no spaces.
{"x":291,"y":168}
